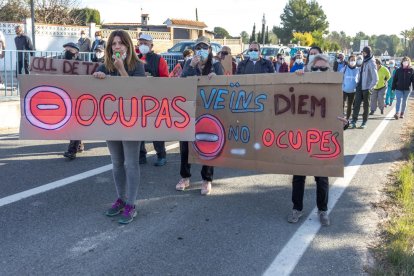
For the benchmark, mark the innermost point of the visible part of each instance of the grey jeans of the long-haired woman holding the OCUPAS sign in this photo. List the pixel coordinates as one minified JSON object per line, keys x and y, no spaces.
{"x":126,"y":172}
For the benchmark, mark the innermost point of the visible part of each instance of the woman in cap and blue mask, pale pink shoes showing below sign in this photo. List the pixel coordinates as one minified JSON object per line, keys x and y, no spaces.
{"x":202,"y":64}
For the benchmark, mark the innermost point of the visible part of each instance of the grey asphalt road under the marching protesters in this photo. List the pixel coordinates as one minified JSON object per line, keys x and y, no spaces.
{"x":238,"y":230}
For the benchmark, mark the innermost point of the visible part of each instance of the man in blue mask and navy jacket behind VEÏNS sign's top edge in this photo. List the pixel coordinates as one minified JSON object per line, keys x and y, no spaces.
{"x":255,"y":64}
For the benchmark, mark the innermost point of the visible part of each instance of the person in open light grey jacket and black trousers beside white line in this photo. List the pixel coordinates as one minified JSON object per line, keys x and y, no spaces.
{"x":367,"y":79}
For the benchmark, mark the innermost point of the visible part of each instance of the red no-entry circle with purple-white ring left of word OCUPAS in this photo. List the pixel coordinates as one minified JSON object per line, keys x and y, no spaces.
{"x":48,"y":107}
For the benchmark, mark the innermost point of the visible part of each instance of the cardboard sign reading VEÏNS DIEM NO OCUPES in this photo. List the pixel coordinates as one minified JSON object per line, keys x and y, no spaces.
{"x":277,"y":123}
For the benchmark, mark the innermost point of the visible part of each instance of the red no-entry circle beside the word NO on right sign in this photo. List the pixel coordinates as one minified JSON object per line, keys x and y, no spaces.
{"x":209,"y":137}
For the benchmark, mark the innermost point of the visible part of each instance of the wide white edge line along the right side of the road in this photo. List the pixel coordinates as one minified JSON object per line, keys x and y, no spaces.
{"x":287,"y":259}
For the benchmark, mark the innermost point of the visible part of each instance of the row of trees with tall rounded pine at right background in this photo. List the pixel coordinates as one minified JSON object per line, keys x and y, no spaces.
{"x":305,"y":22}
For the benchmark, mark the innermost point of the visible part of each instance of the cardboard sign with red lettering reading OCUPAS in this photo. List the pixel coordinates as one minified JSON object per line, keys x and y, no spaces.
{"x":115,"y":108}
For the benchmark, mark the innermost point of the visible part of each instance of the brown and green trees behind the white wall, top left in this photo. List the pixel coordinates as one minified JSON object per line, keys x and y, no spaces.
{"x":65,"y":12}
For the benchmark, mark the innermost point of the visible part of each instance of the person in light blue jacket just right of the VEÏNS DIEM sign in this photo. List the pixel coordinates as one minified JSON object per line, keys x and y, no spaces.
{"x":349,"y":83}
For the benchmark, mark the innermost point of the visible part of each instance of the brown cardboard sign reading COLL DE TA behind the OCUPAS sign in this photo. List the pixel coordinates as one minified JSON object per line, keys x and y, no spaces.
{"x":52,"y":66}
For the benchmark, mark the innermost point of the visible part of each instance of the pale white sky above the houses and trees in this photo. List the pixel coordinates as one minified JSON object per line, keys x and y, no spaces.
{"x":370,"y":16}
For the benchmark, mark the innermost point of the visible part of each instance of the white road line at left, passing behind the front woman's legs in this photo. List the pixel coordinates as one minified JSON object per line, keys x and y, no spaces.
{"x":63,"y":182}
